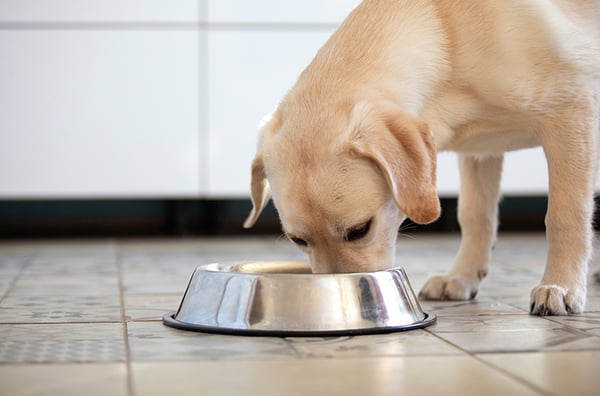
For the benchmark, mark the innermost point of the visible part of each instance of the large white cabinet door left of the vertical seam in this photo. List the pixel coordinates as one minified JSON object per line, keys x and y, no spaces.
{"x":99,"y":112}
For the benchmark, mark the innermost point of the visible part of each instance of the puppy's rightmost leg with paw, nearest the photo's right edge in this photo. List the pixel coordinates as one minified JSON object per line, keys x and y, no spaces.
{"x":572,"y":163}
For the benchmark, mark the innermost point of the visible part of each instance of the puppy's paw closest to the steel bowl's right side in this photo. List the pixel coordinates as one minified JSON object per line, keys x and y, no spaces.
{"x":449,"y":287}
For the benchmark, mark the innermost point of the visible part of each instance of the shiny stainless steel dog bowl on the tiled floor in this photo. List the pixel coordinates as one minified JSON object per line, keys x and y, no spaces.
{"x":283,"y":298}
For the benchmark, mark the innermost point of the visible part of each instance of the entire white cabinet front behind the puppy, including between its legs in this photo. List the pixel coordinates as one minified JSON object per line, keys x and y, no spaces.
{"x":147,"y":98}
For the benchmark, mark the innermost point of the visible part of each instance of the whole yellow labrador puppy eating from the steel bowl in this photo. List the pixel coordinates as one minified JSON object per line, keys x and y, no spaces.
{"x":350,"y":152}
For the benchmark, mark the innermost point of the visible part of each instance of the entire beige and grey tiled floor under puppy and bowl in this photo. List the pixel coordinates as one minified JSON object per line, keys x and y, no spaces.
{"x":83,"y":318}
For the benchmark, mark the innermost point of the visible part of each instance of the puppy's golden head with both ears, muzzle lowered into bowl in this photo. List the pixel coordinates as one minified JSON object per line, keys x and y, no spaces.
{"x":343,"y":180}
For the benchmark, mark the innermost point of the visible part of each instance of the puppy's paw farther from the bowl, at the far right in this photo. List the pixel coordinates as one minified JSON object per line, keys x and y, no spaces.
{"x":556,"y":300}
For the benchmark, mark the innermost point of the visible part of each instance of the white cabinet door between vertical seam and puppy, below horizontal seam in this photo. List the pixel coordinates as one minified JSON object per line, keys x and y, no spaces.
{"x":250,"y":71}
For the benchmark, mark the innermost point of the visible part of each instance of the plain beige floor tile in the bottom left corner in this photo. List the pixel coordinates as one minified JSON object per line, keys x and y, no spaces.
{"x":64,"y":379}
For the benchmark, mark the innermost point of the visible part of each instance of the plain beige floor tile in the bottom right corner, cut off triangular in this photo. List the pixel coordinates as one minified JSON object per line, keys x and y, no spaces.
{"x":558,"y":373}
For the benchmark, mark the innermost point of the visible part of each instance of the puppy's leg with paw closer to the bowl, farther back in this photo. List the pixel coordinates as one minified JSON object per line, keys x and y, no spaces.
{"x":478,"y":218}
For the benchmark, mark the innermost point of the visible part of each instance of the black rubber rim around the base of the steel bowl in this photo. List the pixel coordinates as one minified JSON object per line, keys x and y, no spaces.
{"x":169,"y":320}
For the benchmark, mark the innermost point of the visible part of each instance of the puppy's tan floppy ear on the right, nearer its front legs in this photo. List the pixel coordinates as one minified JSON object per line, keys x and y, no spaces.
{"x":402,"y":148}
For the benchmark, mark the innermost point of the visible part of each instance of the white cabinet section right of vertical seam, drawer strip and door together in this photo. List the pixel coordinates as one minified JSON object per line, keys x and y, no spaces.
{"x":256,"y":52}
